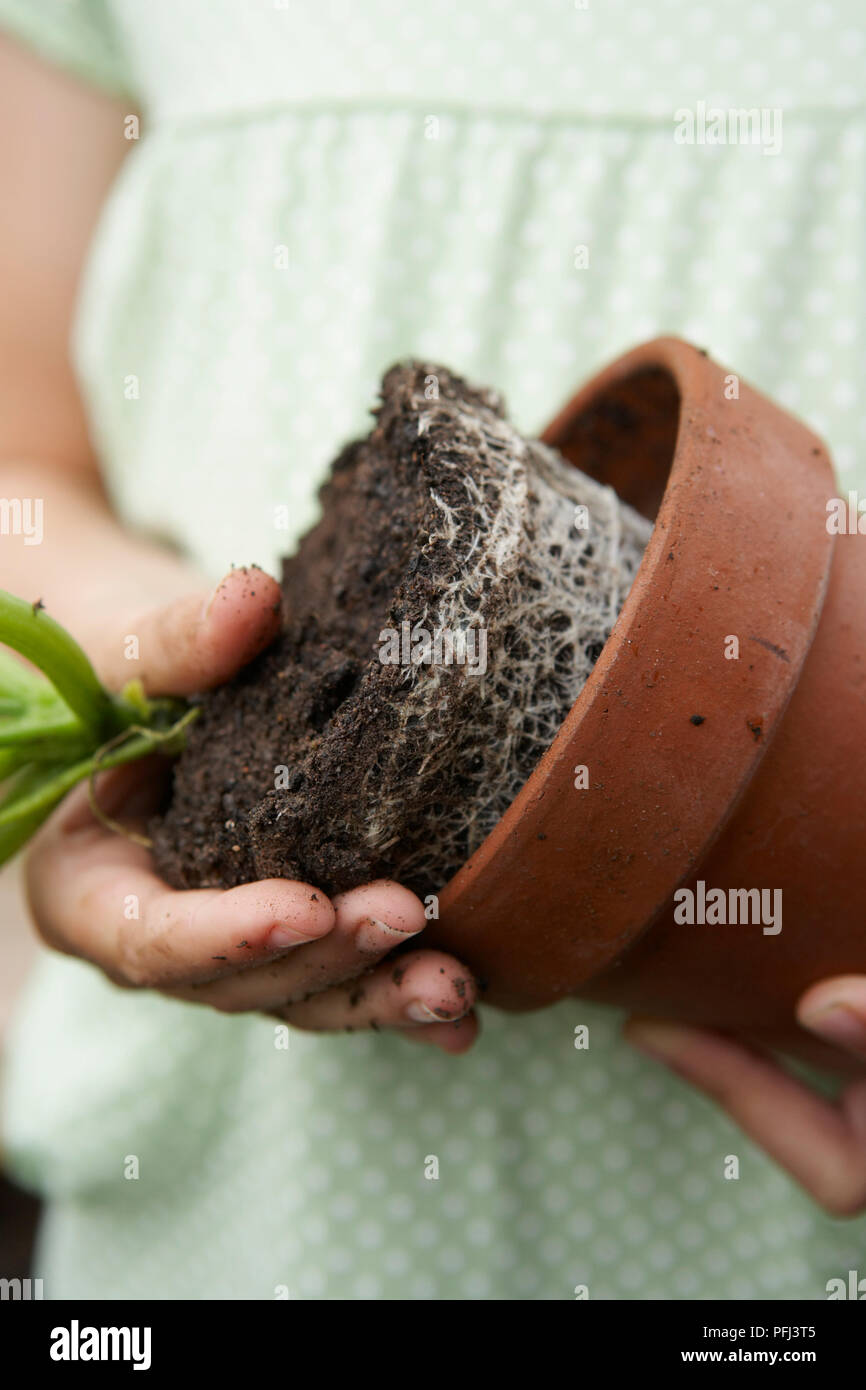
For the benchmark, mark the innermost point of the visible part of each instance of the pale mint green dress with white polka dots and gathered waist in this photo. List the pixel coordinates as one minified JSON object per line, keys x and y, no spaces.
{"x":316,"y":193}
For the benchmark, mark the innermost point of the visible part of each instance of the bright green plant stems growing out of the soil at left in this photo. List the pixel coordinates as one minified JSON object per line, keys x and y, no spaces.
{"x":59,"y":725}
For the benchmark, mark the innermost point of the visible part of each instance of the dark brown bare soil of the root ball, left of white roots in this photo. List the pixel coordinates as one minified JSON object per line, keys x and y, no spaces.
{"x":269,"y":782}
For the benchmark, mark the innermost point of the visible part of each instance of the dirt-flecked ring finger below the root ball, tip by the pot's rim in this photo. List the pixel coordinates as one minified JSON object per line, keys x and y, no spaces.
{"x":419,"y":989}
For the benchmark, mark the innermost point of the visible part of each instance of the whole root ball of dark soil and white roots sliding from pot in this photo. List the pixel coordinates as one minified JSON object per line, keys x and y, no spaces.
{"x":325,"y":764}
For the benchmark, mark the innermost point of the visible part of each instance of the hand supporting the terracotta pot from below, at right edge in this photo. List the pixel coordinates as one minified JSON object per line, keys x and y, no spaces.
{"x":822,"y":1145}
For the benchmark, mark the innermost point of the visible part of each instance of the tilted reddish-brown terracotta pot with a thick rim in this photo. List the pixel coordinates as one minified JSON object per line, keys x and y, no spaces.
{"x":742,"y":774}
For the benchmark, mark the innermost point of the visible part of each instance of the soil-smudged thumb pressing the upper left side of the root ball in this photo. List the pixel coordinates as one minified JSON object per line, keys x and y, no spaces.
{"x":197,"y":641}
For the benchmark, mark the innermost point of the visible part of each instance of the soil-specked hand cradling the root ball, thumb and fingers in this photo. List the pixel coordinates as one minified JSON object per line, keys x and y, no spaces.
{"x":276,"y":947}
